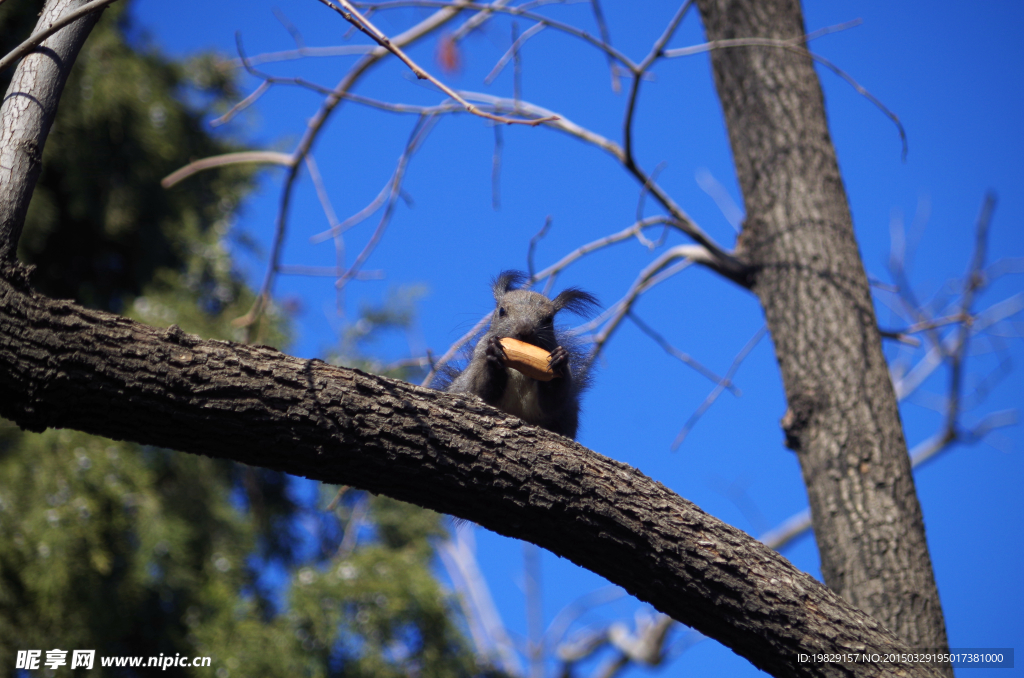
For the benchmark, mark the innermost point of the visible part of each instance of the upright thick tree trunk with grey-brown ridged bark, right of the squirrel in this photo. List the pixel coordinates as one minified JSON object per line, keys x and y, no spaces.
{"x":843,"y":419}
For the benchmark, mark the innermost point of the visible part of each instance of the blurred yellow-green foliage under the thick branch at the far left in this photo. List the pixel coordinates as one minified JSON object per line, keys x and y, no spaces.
{"x":104,"y":546}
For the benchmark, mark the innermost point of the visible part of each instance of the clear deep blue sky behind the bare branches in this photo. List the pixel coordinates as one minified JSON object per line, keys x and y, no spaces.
{"x":952,"y":74}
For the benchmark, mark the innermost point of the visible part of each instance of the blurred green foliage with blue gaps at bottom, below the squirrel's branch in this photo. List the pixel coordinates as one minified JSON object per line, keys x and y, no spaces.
{"x":372,"y":609}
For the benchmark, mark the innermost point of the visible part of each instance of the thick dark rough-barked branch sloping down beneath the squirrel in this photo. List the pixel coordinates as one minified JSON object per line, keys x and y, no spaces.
{"x":64,"y":366}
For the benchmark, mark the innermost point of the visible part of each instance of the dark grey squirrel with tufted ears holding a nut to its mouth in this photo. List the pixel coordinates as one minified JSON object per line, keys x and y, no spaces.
{"x":529,"y":317}
